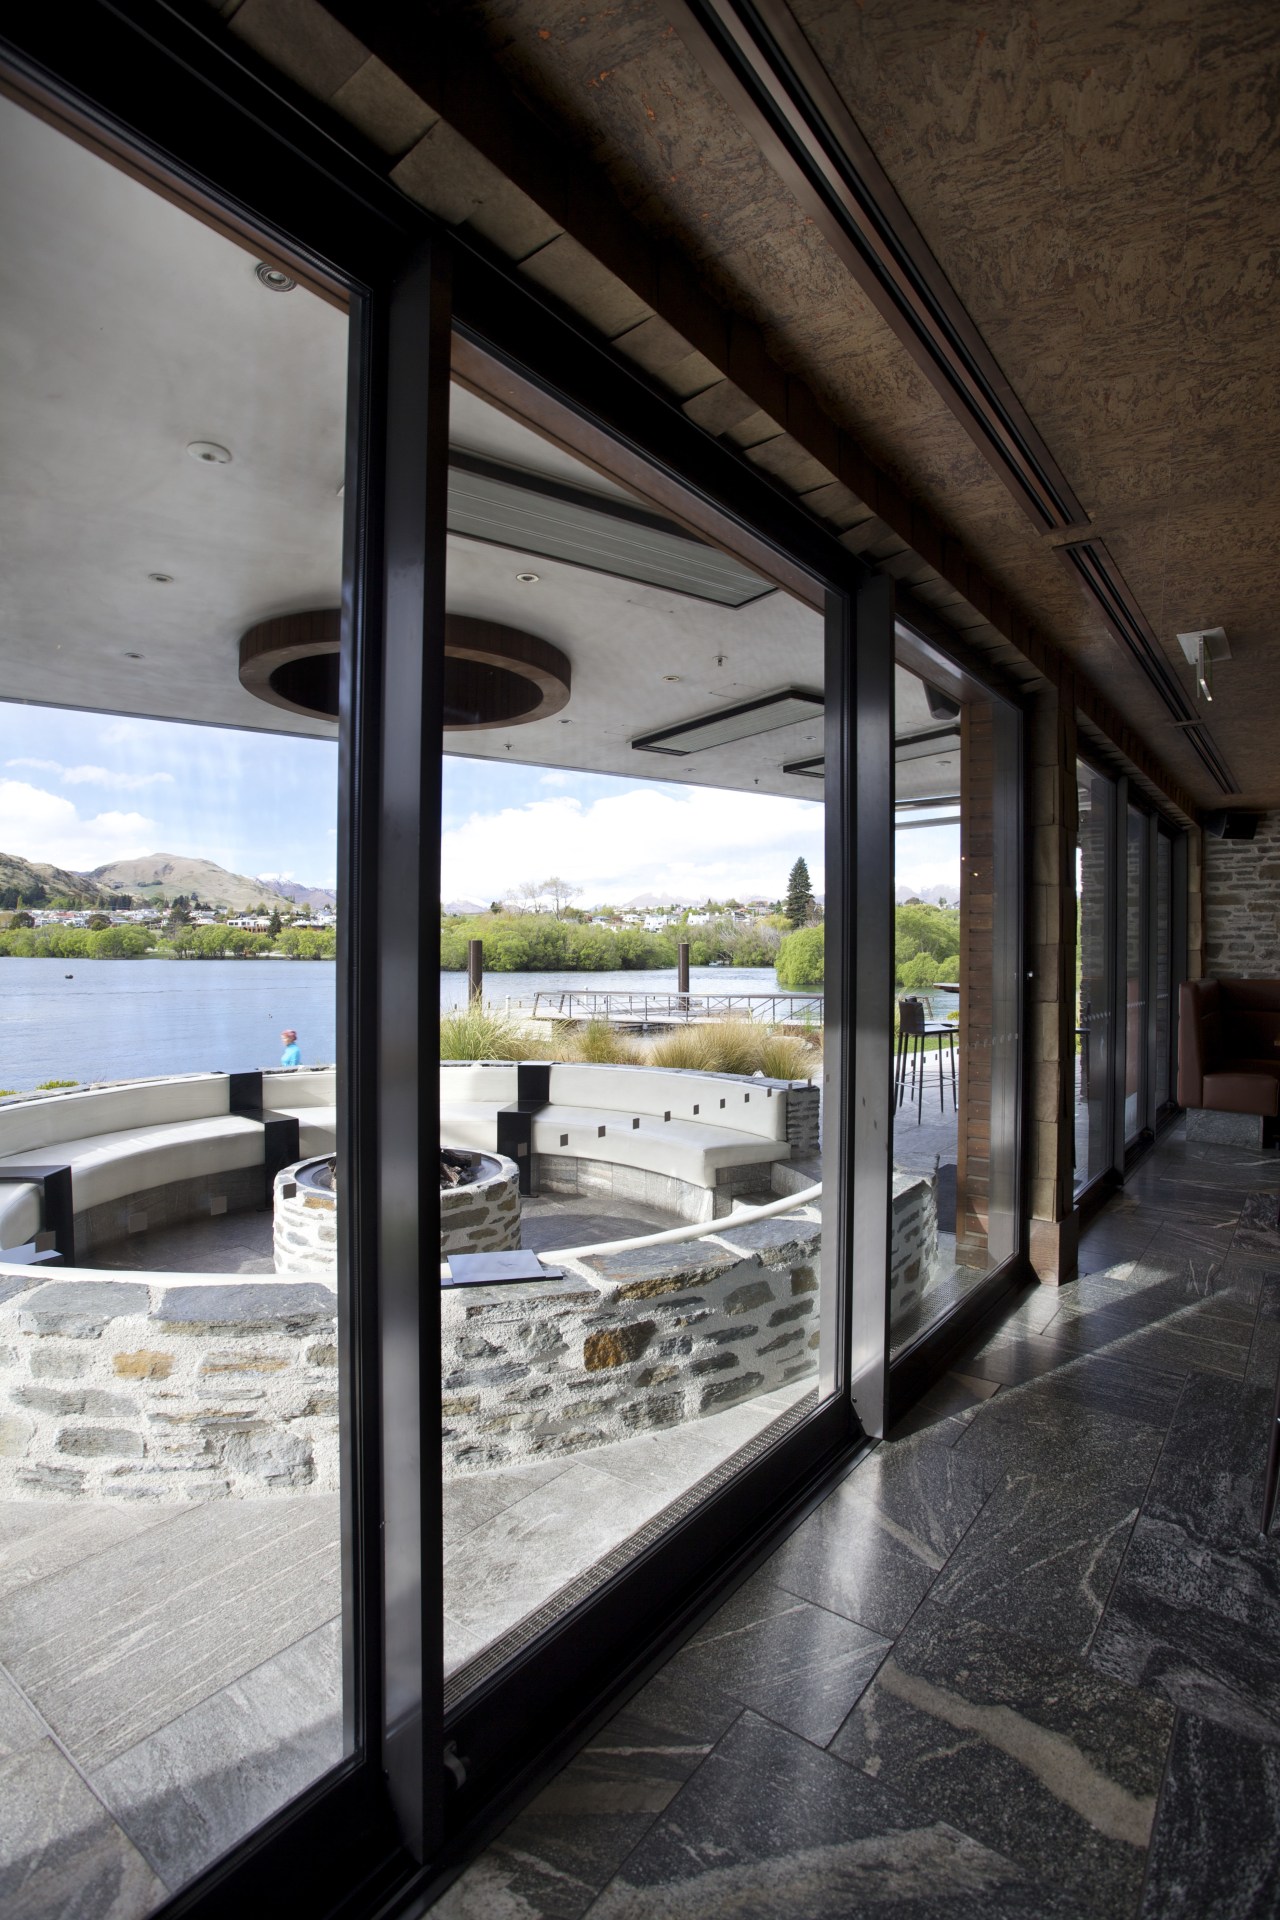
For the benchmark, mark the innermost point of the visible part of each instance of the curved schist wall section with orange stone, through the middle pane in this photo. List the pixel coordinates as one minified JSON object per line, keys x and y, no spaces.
{"x":628,"y":1343}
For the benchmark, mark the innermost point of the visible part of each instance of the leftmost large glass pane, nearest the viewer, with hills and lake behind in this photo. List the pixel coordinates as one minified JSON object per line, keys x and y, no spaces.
{"x":174,"y":448}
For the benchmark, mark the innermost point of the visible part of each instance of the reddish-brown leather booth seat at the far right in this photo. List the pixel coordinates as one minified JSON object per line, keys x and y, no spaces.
{"x":1229,"y":1045}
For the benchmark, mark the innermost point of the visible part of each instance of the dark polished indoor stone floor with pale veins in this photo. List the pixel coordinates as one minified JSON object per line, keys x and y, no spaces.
{"x":1022,"y":1662}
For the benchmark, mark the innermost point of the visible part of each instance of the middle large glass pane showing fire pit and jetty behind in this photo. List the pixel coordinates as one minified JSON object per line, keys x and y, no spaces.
{"x":634,"y":909}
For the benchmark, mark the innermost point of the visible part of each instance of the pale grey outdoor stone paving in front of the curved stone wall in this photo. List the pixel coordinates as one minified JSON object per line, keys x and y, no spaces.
{"x":170,"y":1677}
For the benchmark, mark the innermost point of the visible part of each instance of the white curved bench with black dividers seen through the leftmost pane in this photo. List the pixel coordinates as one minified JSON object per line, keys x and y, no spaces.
{"x":158,"y":1147}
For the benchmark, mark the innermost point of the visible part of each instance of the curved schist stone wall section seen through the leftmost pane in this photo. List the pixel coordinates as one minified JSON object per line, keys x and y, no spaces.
{"x":145,"y":1391}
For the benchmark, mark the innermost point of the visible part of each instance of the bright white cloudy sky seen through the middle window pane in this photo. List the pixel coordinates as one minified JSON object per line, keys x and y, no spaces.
{"x":684,"y":844}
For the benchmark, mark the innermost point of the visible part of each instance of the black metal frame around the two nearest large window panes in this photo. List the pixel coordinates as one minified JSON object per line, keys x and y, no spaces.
{"x":166,"y":82}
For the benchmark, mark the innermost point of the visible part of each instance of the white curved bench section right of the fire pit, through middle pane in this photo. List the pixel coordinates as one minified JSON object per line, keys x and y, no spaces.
{"x":690,"y":1134}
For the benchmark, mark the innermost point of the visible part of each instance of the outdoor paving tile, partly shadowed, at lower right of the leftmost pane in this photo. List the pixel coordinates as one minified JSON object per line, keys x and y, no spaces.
{"x":201,"y":1785}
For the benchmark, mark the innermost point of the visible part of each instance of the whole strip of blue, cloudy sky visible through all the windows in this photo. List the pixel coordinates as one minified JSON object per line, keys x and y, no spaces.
{"x":82,"y":790}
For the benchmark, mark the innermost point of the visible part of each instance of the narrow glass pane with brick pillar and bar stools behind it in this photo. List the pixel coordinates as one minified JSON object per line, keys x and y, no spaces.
{"x":957,"y":990}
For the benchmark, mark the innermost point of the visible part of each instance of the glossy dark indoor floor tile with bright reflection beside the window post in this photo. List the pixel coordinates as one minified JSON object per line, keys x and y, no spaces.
{"x":880,"y":1541}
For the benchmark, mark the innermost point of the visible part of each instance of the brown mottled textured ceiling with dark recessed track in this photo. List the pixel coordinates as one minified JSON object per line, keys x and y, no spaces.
{"x":1101,"y":185}
